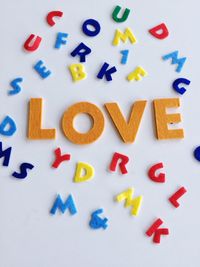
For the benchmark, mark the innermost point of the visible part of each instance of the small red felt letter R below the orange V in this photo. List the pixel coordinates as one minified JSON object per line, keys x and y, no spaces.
{"x":122,"y":160}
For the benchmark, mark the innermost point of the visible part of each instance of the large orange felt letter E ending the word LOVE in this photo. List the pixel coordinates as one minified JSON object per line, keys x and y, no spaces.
{"x":163,"y":119}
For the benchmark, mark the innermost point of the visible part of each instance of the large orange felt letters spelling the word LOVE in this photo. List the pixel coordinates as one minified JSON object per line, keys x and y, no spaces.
{"x":127,"y":129}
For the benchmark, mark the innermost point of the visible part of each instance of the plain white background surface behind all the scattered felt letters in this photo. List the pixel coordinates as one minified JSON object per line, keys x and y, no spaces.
{"x":29,"y":235}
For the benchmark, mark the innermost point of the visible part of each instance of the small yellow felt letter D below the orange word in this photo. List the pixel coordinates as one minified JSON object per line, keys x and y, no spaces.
{"x":83,"y":168}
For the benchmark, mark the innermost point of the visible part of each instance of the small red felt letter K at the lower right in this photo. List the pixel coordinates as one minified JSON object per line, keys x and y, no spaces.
{"x":154,"y":229}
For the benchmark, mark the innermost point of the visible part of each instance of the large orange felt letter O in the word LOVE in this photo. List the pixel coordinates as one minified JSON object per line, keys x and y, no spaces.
{"x":83,"y":138}
